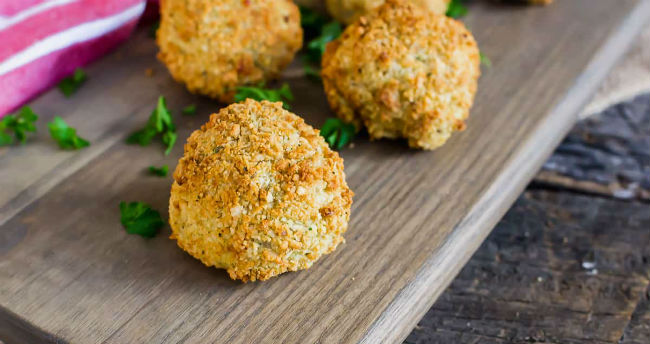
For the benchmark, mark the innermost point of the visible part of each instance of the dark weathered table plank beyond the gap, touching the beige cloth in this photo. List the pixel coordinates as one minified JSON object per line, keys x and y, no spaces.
{"x":607,"y":154}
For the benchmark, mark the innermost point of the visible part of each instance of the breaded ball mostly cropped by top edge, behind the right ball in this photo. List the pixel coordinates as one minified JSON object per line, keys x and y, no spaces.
{"x":347,"y":11}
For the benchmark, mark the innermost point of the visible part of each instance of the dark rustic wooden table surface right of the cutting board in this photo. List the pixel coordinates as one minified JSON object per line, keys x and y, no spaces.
{"x":570,"y":261}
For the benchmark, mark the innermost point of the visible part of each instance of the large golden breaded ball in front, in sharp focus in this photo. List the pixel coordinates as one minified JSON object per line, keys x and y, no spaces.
{"x":258,"y":192}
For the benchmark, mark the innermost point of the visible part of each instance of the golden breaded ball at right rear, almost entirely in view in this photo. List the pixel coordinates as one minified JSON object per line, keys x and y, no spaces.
{"x":403,"y":72}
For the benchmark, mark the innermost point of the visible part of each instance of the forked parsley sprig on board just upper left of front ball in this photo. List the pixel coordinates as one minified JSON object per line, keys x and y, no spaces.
{"x":160,"y":122}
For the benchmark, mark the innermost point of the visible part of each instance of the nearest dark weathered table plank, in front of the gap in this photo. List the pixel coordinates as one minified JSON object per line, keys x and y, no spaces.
{"x":528,"y":281}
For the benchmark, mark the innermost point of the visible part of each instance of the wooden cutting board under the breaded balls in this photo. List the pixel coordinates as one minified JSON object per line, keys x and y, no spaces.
{"x":70,"y":273}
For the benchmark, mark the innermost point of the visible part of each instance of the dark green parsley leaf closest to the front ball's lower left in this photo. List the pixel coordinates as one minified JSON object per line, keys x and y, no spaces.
{"x":139,"y":218}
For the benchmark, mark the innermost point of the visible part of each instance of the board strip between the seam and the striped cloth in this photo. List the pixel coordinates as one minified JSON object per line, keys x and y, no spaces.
{"x":116,"y":98}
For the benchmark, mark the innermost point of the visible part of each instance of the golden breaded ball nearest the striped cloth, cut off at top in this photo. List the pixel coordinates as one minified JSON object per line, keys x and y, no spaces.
{"x":213,"y":46}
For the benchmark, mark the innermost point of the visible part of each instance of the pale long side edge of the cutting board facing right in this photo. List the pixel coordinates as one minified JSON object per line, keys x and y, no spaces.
{"x":511,"y":181}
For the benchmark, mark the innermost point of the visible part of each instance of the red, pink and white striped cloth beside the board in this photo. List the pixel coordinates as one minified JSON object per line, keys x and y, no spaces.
{"x":43,"y":41}
